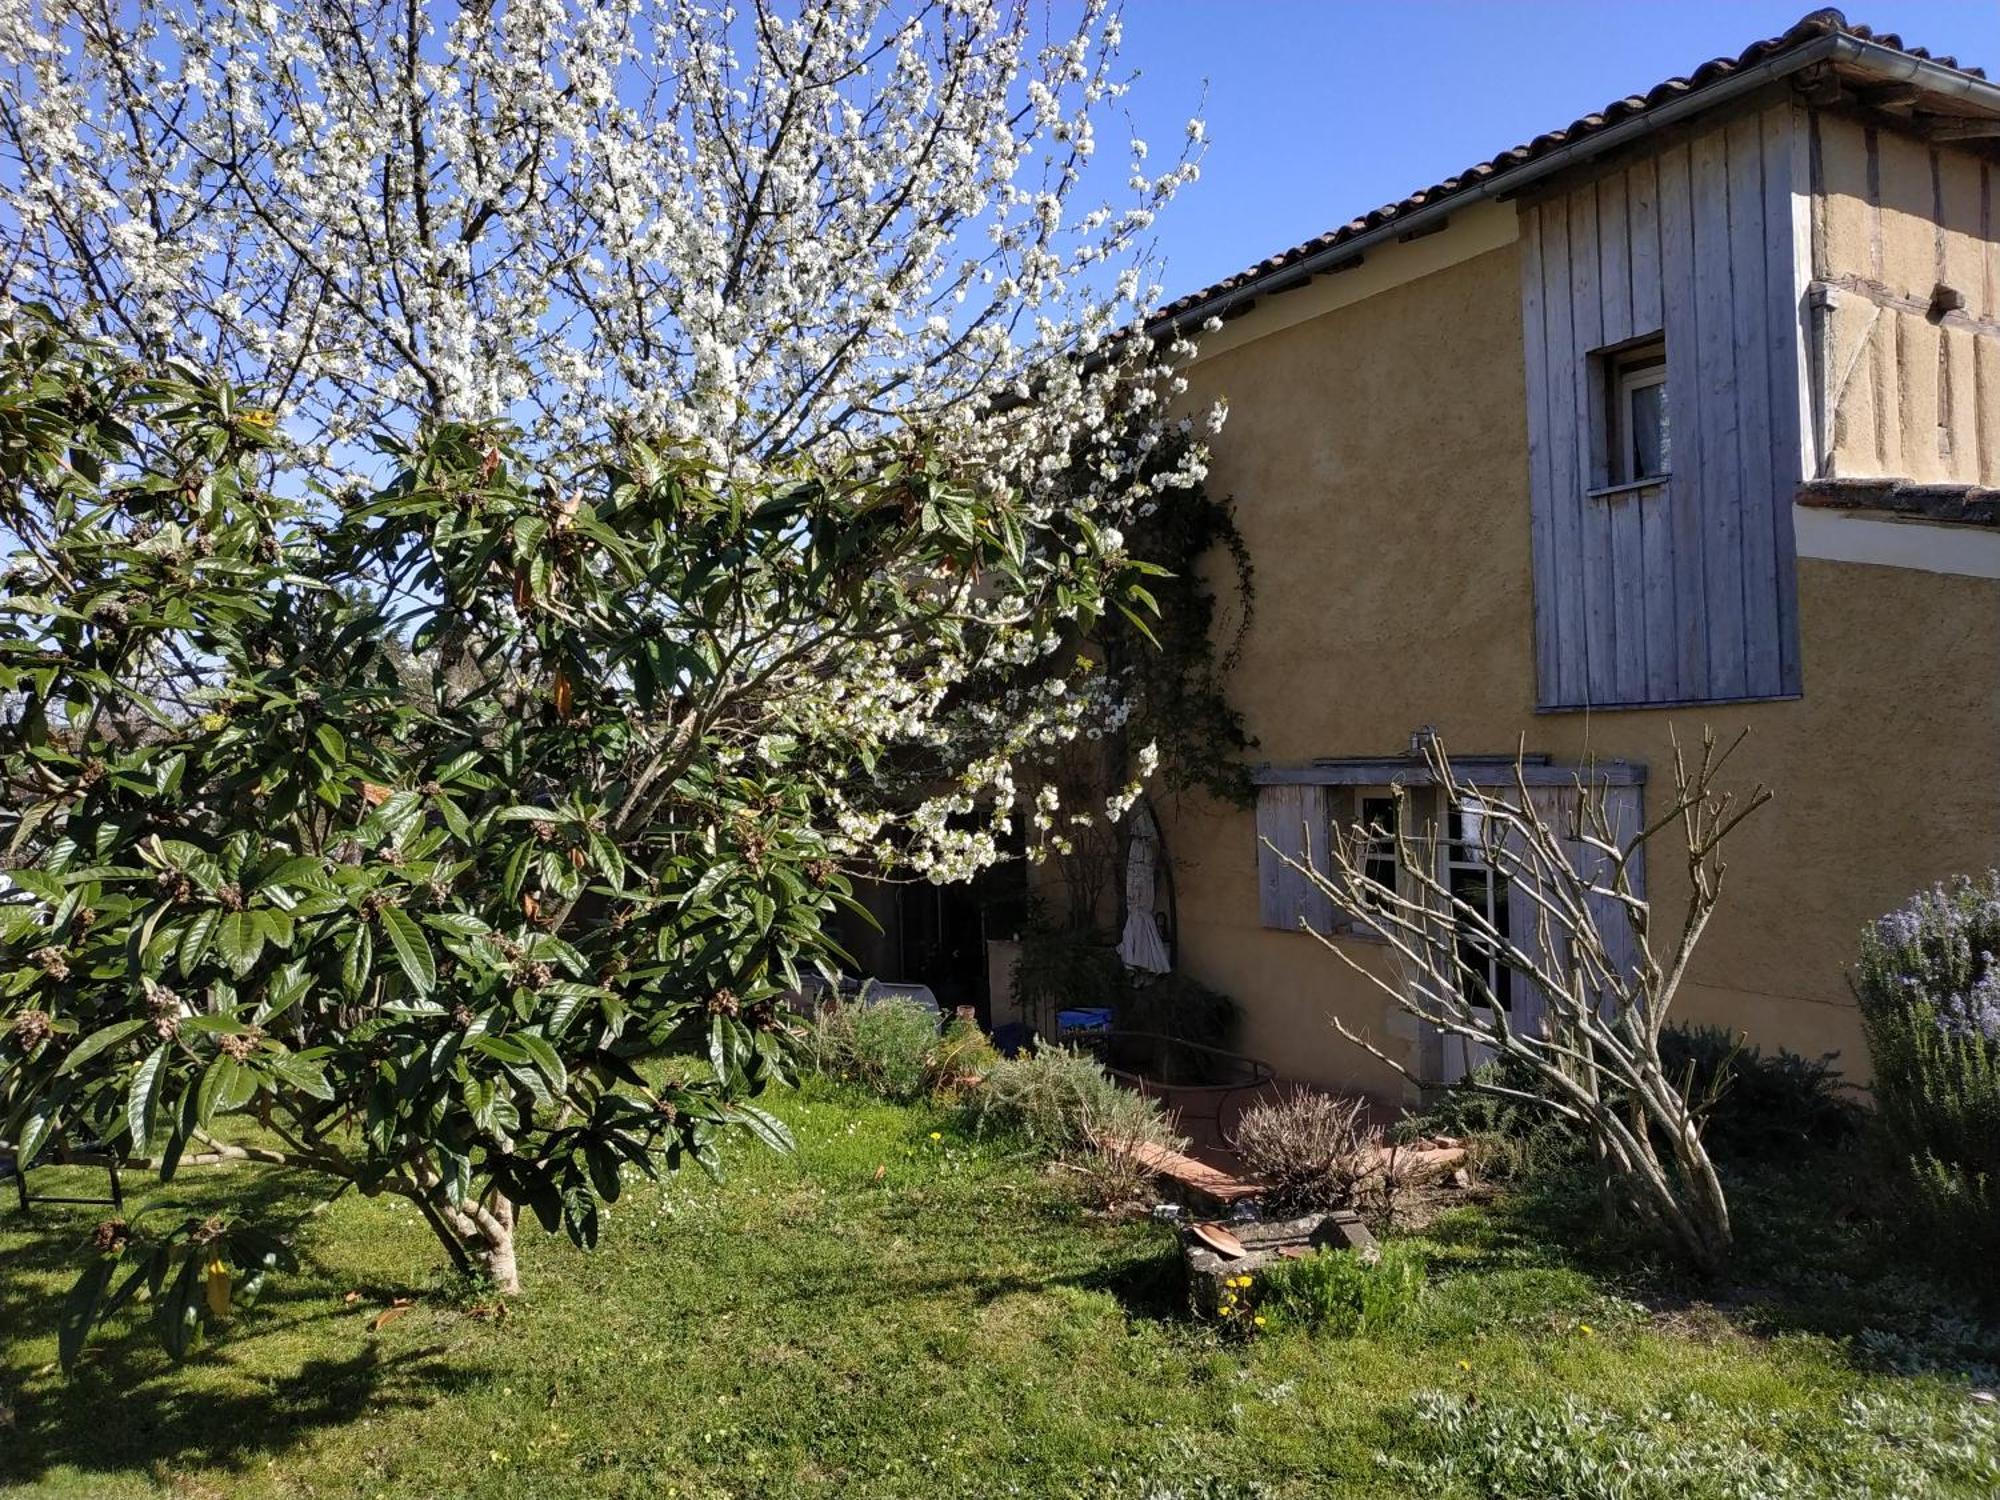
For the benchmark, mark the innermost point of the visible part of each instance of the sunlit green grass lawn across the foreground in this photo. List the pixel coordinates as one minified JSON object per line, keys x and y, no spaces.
{"x":901,"y":1315}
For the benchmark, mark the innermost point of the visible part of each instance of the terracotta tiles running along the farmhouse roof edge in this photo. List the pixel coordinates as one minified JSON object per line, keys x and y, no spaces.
{"x":1811,"y":29}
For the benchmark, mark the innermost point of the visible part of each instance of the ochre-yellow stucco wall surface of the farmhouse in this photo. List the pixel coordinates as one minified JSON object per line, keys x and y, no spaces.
{"x":1381,"y":475}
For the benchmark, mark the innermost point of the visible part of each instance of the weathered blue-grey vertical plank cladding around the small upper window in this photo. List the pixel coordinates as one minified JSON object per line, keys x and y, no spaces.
{"x":1679,"y":591}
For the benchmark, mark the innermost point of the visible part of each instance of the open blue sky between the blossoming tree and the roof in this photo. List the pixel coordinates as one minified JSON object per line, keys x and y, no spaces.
{"x":1323,"y":109}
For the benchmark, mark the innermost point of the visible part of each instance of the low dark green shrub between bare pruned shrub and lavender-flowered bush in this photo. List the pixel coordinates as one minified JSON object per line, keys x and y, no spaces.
{"x":1759,"y":1107}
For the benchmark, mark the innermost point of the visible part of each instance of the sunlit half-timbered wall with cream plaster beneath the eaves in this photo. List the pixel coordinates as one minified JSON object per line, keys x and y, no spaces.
{"x":1907,"y":307}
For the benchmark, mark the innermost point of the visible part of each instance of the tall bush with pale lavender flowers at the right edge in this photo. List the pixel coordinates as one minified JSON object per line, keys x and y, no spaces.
{"x":1929,"y":985}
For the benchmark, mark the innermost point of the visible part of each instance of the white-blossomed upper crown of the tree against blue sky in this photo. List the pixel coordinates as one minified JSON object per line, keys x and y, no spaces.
{"x":767,"y":231}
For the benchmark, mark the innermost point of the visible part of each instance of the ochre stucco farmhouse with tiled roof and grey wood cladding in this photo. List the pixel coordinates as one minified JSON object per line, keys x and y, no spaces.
{"x":1685,"y":415}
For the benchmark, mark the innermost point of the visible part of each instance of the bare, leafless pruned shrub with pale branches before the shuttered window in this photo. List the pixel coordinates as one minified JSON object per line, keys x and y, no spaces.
{"x":1603,"y":959}
